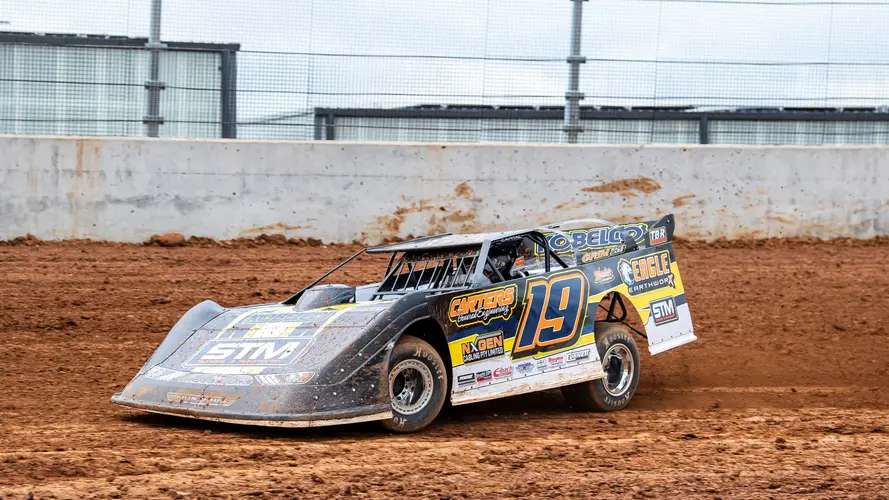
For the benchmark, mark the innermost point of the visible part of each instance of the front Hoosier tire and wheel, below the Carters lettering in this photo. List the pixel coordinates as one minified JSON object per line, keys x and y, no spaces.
{"x":418,"y":384}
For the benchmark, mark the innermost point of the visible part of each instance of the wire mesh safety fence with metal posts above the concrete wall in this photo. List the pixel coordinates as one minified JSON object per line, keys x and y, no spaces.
{"x":649,"y":71}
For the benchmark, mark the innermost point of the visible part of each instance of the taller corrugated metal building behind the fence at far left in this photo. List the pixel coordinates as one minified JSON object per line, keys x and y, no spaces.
{"x":95,"y":85}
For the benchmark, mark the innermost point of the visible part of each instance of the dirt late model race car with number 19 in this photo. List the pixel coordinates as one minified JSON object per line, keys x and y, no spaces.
{"x":468,"y":317}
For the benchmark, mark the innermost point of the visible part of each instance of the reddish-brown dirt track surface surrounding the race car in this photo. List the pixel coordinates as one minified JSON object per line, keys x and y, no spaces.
{"x":784,"y":393}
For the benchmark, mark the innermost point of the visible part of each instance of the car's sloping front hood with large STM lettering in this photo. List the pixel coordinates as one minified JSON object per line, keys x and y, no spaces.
{"x":269,"y":344}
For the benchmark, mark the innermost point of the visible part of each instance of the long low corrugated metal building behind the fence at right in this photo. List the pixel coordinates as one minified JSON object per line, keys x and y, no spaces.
{"x":607,"y":125}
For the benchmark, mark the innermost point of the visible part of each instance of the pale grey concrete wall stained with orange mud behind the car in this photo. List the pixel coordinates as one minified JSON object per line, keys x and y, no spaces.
{"x":129,"y":189}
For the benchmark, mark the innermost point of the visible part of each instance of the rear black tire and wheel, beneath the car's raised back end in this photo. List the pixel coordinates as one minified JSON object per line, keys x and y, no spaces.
{"x":622,"y":368}
